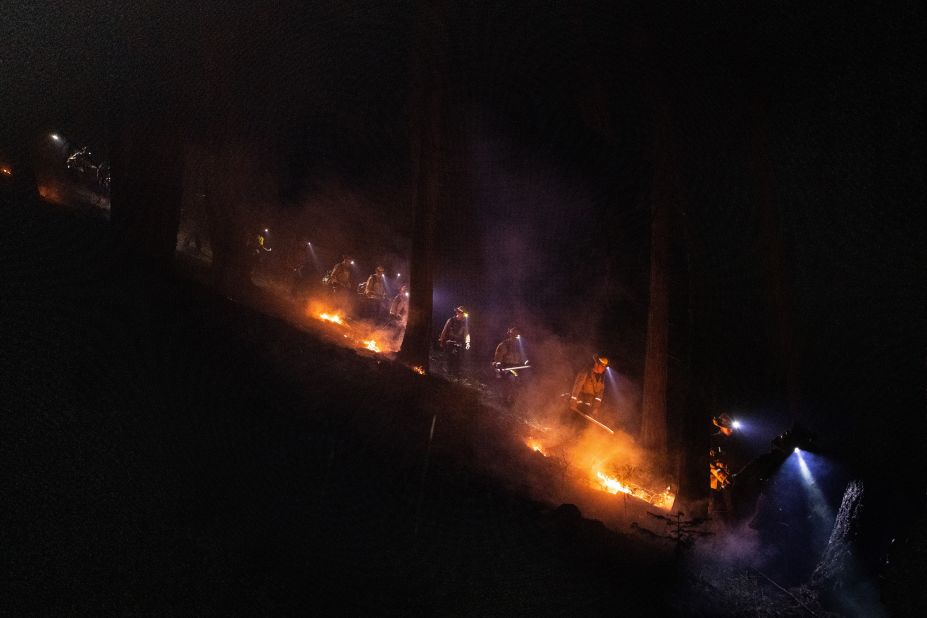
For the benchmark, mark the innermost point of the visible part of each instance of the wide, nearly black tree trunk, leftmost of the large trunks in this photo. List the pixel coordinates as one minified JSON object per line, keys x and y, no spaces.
{"x":146,"y":144}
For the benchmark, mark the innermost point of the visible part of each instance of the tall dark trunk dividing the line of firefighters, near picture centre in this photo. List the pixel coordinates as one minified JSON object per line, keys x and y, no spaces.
{"x":428,"y":177}
